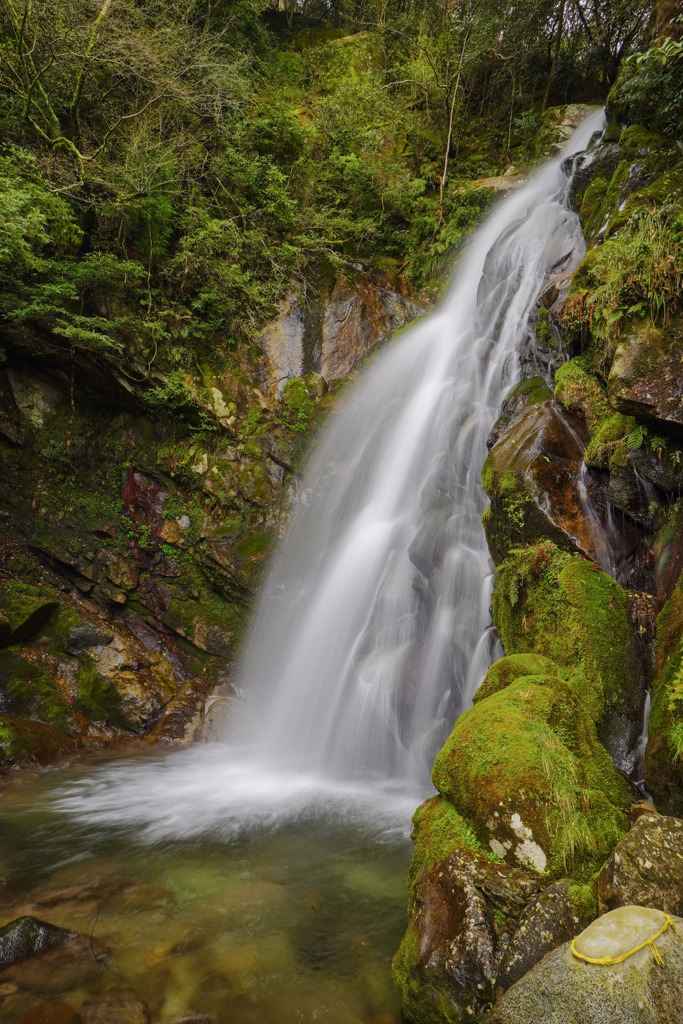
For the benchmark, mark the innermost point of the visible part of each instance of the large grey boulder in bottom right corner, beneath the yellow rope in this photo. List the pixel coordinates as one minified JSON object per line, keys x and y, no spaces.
{"x":564,"y":990}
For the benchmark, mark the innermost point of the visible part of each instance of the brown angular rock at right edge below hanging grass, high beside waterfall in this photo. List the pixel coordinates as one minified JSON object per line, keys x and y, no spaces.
{"x":646,"y":377}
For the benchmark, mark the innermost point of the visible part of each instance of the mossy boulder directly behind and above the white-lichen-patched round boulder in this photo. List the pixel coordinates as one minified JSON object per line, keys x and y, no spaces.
{"x":563,"y":607}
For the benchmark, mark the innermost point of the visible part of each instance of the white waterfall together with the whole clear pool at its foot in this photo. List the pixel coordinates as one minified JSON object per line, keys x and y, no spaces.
{"x":263,"y":881}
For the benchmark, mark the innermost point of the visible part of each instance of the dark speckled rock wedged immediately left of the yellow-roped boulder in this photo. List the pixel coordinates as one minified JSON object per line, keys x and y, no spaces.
{"x":554,"y":917}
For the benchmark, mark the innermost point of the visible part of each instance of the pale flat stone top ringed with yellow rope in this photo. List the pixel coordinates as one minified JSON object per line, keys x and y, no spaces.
{"x":618,"y":935}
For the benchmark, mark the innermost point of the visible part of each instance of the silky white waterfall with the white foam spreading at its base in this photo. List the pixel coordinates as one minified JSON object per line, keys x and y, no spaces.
{"x":374,"y":629}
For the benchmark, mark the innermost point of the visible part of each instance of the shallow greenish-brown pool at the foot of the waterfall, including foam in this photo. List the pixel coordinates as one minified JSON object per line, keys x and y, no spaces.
{"x":291,"y":914}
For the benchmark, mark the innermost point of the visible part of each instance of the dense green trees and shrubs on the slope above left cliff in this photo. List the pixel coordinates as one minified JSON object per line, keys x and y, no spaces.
{"x":168,"y":166}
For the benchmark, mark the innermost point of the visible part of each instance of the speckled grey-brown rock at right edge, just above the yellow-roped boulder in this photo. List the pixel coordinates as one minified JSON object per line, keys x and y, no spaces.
{"x":647,"y":868}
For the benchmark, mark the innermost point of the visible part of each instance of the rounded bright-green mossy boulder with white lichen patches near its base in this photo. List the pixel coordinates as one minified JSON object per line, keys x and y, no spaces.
{"x":526,"y":769}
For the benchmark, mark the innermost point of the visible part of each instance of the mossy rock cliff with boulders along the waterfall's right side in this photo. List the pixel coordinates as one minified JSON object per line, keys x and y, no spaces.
{"x":541,"y":781}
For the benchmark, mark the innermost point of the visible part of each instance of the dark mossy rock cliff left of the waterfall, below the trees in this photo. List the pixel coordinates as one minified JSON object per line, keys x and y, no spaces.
{"x":137,"y":517}
